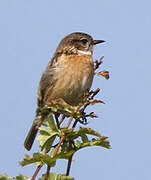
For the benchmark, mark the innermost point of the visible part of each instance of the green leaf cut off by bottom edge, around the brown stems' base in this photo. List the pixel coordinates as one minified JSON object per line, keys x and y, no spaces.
{"x":54,"y":176}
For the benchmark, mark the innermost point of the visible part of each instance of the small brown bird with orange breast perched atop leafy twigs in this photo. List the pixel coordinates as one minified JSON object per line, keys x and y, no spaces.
{"x":68,"y":76}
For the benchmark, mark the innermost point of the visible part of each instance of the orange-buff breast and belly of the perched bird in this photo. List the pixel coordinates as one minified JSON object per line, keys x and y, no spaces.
{"x":73,"y":76}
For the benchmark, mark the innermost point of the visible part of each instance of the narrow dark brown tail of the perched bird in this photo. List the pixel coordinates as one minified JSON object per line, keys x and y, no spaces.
{"x":32,"y":133}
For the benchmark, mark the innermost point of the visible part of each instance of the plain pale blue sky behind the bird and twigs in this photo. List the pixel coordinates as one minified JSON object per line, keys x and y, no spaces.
{"x":29,"y":33}
